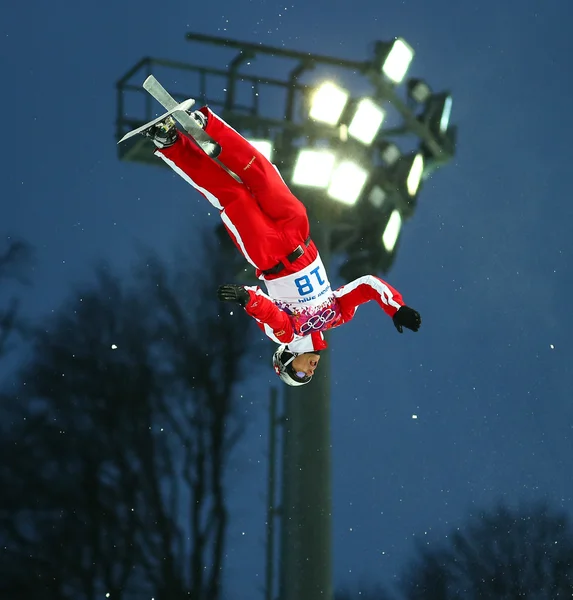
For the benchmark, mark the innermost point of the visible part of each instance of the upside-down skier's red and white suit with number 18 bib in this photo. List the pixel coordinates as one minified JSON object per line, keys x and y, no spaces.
{"x":267,"y":222}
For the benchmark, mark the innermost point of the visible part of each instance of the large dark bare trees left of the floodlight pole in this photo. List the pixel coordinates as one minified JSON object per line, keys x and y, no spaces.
{"x":113,"y":450}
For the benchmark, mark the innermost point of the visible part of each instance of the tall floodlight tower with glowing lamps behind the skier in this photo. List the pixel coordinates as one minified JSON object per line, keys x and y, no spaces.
{"x":359,"y":187}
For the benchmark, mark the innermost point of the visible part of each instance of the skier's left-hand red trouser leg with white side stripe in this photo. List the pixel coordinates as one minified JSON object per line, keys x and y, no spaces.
{"x":261,"y":240}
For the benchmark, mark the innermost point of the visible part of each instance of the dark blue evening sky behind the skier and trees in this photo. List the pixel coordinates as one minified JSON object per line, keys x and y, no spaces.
{"x":485,"y":260}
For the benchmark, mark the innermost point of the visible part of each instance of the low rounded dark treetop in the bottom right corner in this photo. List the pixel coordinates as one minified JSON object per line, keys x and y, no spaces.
{"x":502,"y":554}
